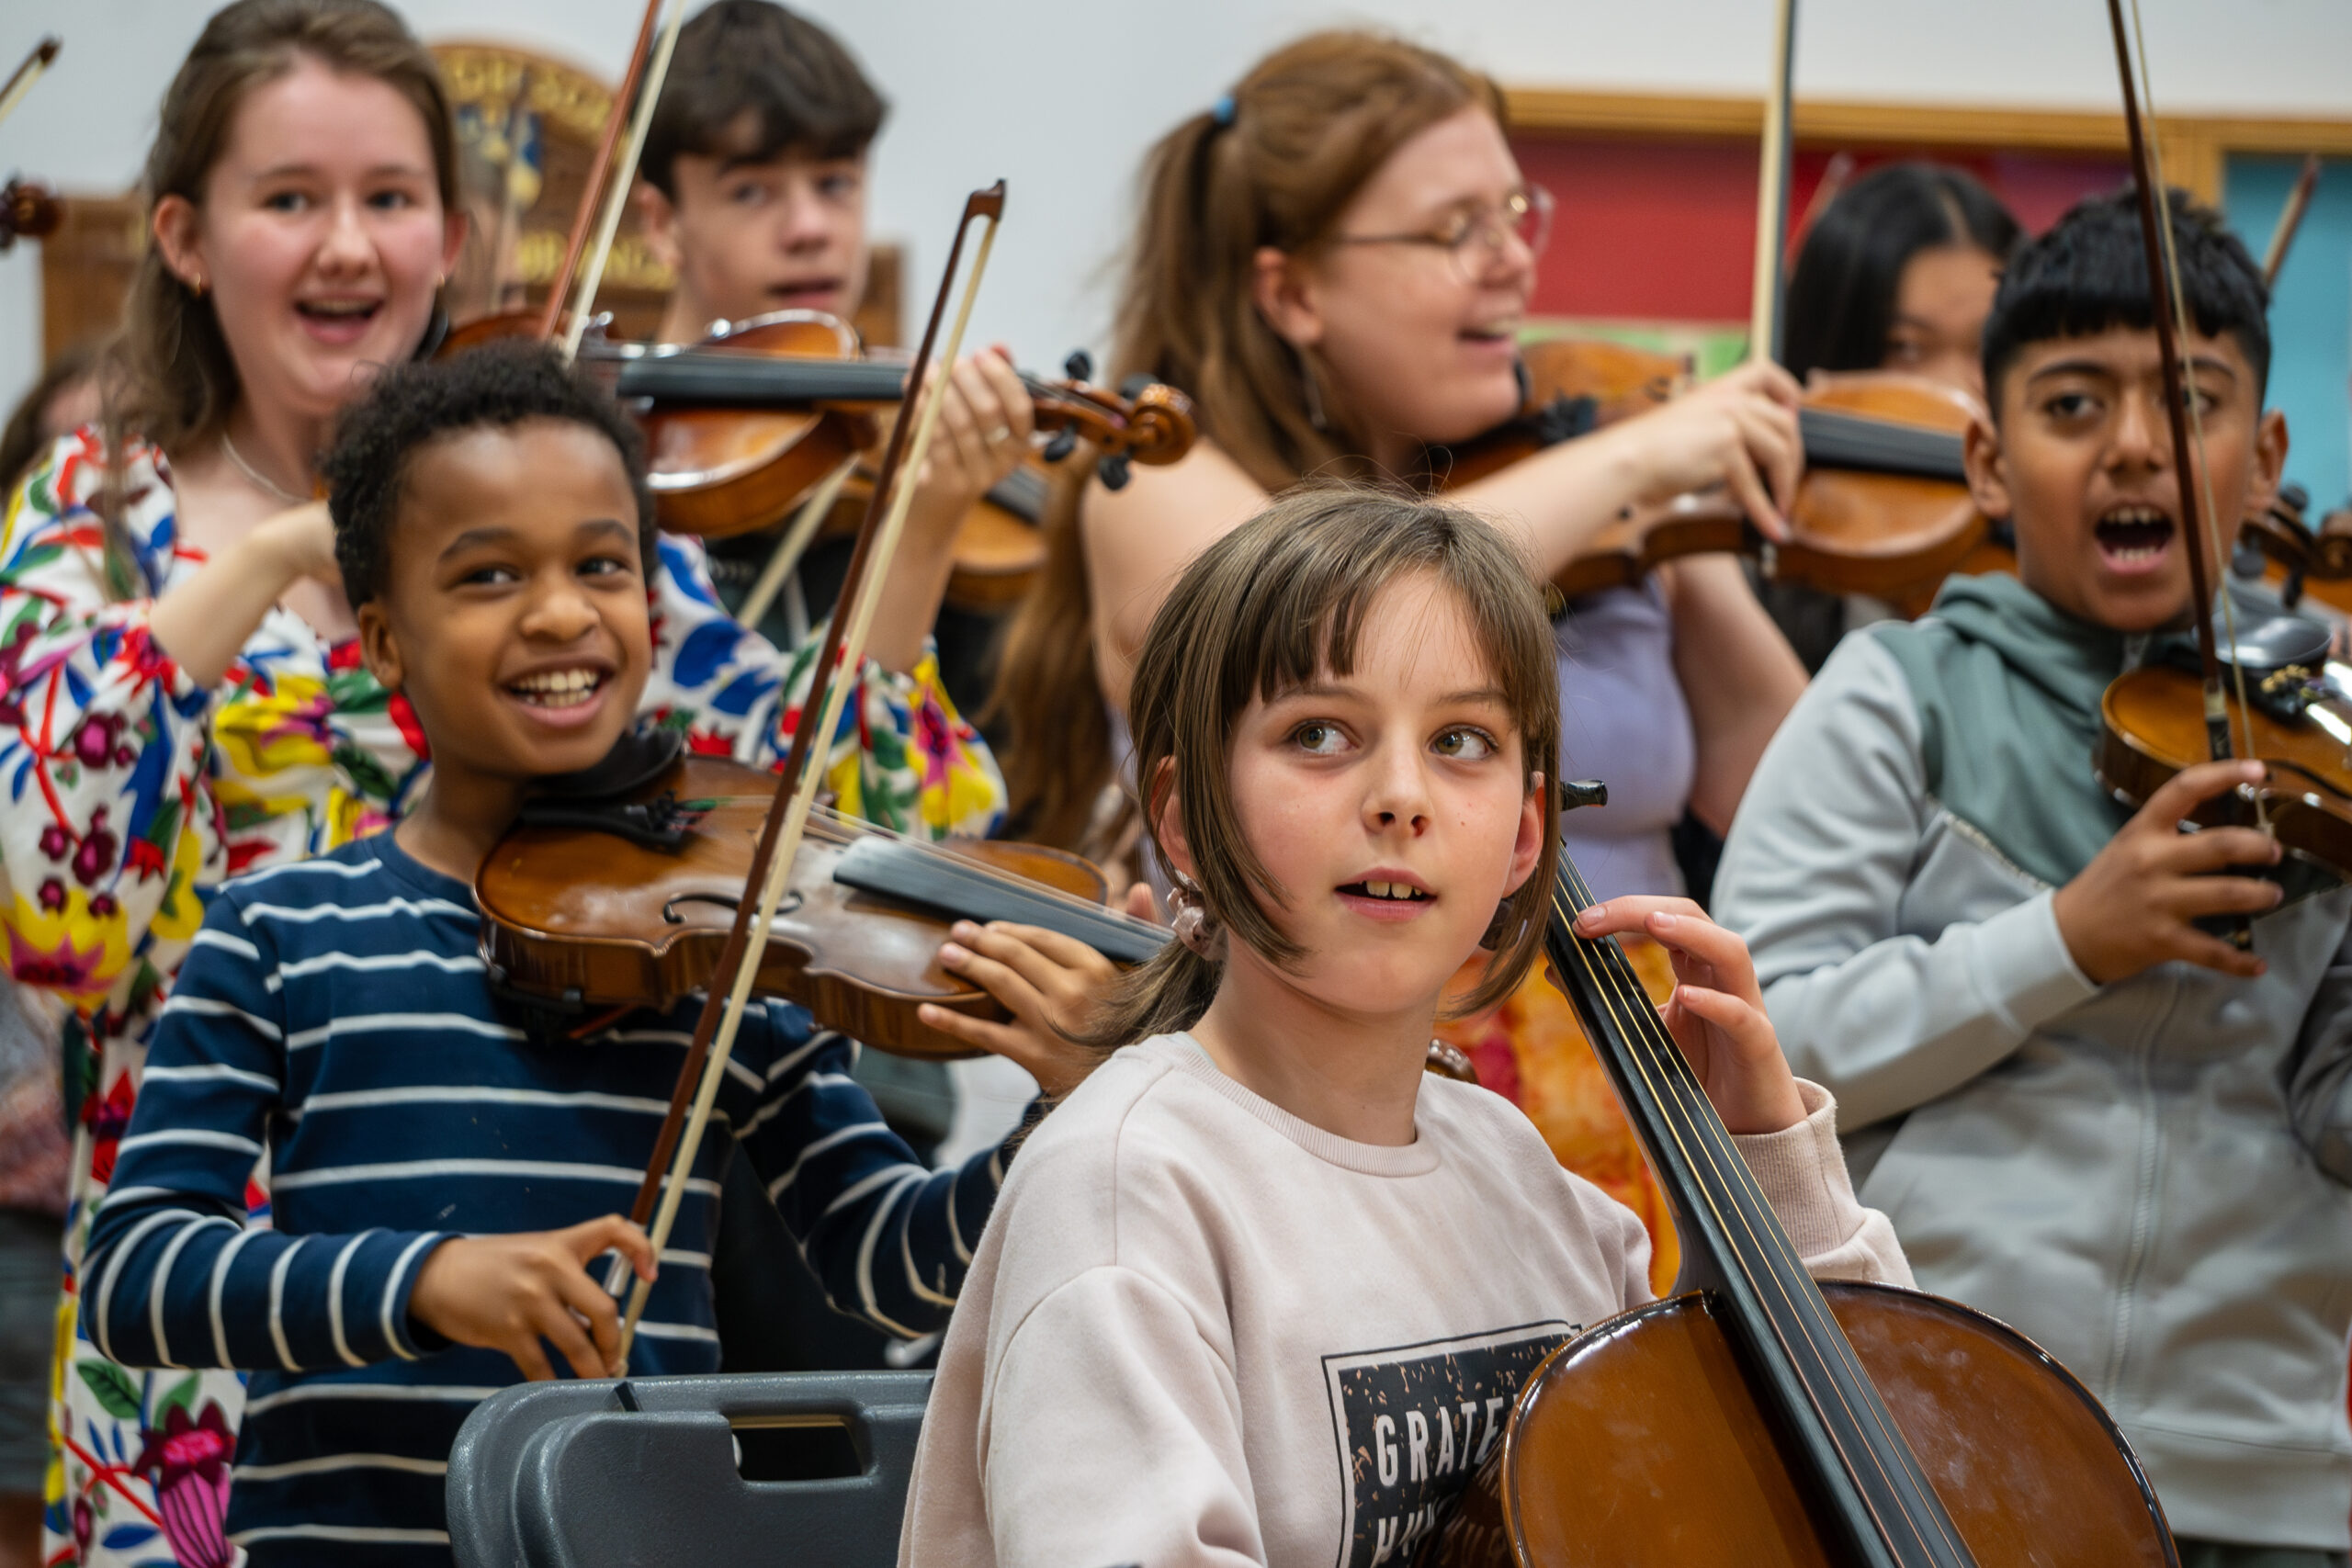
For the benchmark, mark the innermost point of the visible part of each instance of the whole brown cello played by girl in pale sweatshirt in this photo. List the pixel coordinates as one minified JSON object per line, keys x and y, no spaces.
{"x":1765,"y":1419}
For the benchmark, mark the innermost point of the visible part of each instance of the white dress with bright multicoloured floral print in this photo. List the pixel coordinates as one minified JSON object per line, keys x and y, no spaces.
{"x":128,"y":793}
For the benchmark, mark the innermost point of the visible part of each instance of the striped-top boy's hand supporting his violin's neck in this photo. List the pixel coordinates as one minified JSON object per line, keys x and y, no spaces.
{"x":1048,"y":981}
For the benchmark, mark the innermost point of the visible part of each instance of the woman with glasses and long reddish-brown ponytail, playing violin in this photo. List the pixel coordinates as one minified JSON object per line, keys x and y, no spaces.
{"x":1335,"y":262}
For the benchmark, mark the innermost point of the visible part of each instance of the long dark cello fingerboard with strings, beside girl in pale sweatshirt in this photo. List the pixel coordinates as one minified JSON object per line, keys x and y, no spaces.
{"x":1626,"y":1003}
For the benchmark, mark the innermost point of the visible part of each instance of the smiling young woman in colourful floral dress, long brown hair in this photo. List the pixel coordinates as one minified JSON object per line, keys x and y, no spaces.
{"x":180,"y":681}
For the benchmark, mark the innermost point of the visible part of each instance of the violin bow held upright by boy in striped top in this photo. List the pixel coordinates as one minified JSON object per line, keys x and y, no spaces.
{"x":803,"y":775}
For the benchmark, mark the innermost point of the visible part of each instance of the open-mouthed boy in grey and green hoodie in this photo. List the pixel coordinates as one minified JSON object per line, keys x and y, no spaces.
{"x":2085,"y":1115}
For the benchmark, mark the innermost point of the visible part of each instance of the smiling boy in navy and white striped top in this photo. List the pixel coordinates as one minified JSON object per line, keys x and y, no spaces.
{"x":443,"y":1186}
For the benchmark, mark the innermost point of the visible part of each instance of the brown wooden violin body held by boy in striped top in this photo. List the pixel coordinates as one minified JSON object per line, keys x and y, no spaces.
{"x":603,"y":923}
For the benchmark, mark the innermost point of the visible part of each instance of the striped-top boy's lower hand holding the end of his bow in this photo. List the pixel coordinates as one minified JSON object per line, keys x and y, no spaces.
{"x":516,"y":1292}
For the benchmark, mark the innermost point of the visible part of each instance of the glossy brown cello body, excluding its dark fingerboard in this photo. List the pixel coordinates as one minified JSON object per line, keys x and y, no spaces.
{"x":1641,"y":1442}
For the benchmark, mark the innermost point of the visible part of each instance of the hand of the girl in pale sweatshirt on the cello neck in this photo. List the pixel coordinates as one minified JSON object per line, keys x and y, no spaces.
{"x":1716,"y":1012}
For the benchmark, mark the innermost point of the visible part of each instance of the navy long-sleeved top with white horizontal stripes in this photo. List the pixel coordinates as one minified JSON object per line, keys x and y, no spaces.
{"x":335,"y":1017}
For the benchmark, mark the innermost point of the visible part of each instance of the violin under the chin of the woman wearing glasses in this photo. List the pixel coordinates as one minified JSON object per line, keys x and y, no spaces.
{"x":1883,"y":507}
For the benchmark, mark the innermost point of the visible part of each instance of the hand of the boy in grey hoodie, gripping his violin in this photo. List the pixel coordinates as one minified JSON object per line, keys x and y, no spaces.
{"x":2132,"y":906}
